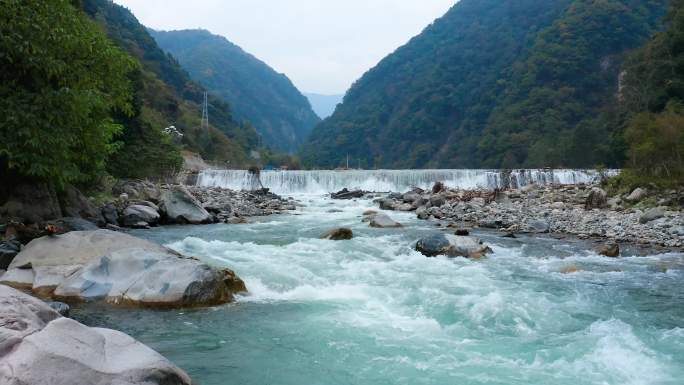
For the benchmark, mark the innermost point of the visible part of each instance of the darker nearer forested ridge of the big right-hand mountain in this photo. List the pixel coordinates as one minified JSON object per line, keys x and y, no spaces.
{"x":547,"y":115}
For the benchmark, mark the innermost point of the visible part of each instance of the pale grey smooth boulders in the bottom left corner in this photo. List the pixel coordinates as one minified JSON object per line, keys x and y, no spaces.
{"x":39,"y":347}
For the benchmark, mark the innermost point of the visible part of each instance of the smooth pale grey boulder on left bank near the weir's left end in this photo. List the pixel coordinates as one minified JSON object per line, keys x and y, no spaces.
{"x":181,"y":207}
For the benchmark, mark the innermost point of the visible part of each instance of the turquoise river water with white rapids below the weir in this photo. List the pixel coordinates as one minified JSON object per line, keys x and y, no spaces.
{"x":374,"y":311}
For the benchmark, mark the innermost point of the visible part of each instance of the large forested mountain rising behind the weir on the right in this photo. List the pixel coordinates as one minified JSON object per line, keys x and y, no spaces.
{"x":493,"y":83}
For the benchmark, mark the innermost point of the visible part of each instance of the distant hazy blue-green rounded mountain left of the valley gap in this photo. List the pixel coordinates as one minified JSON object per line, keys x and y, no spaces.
{"x":257,"y":93}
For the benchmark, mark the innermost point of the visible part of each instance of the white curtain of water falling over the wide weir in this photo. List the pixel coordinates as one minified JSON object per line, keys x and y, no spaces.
{"x":325,"y":181}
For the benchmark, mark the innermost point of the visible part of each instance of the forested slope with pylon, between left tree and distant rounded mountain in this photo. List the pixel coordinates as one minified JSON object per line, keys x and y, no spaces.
{"x":165,"y":96}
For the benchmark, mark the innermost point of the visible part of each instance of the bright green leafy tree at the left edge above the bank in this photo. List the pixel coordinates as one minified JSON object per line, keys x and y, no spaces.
{"x":60,"y":81}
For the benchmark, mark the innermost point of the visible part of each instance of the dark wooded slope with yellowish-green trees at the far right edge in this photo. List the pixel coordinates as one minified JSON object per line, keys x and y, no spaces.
{"x":652,"y":106}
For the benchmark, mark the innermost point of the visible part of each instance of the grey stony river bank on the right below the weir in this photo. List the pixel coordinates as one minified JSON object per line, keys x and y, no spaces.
{"x":585,"y":211}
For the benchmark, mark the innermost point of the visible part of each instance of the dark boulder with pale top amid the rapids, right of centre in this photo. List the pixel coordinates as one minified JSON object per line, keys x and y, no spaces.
{"x":452,"y":246}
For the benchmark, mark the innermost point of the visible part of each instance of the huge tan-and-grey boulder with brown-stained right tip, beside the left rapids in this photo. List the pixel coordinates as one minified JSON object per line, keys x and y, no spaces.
{"x":119,"y":269}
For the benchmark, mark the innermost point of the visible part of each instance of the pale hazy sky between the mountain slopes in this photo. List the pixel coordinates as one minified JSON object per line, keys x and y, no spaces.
{"x":322,"y":45}
